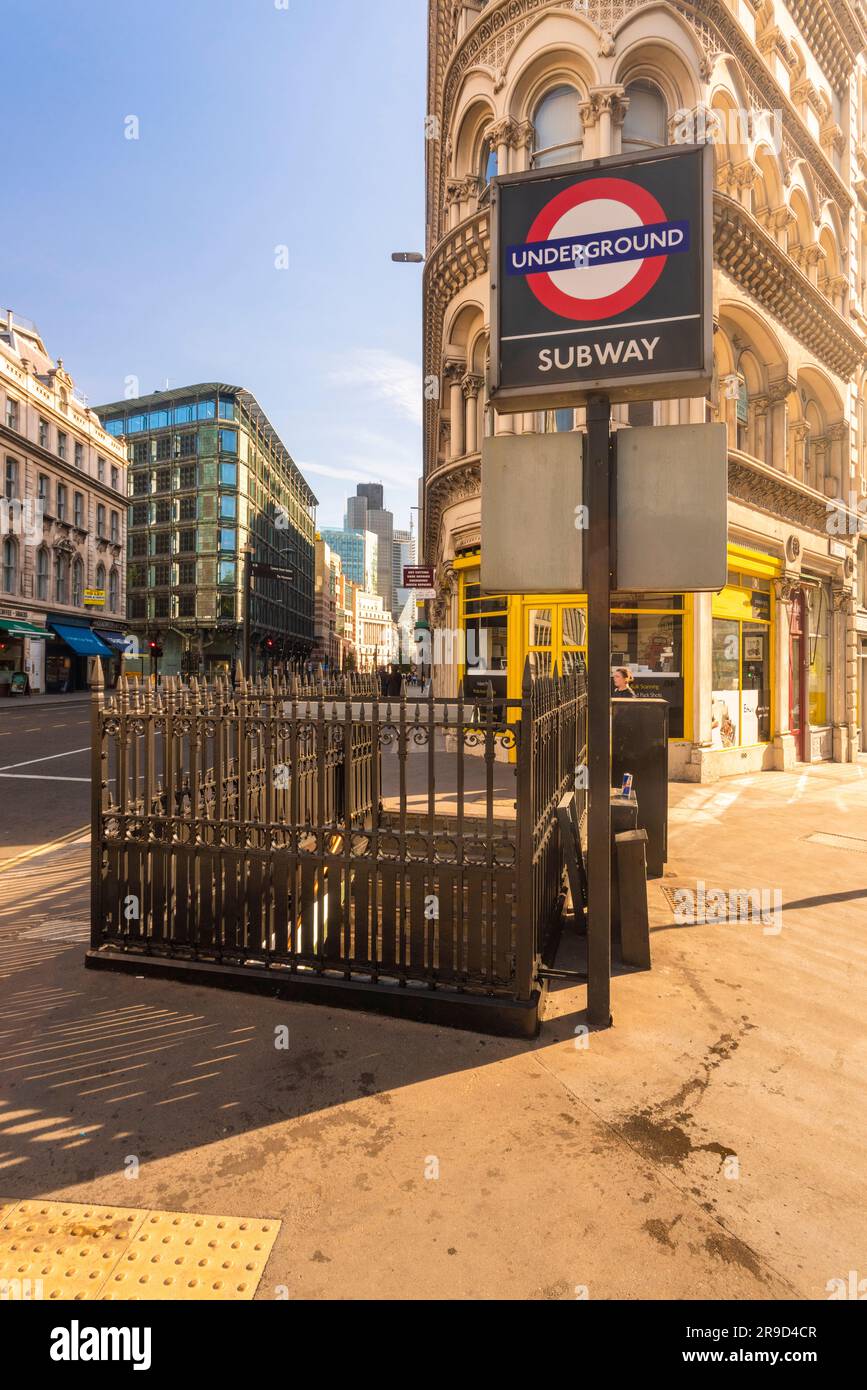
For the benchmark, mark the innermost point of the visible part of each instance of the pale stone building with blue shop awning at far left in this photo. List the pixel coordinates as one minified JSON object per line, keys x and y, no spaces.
{"x":63,"y":525}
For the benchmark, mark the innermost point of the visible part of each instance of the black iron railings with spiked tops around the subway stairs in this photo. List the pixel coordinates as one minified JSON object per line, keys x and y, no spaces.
{"x":320,"y":829}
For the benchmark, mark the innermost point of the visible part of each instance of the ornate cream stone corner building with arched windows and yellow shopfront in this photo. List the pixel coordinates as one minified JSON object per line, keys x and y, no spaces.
{"x":772,"y":671}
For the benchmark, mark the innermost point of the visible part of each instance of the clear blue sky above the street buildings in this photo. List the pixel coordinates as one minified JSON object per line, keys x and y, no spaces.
{"x":259,"y":127}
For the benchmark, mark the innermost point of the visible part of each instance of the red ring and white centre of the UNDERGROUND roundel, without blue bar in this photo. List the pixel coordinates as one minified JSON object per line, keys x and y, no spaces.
{"x":593,"y":293}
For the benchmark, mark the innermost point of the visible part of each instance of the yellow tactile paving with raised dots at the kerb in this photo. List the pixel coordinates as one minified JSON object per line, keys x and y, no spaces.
{"x":84,"y":1252}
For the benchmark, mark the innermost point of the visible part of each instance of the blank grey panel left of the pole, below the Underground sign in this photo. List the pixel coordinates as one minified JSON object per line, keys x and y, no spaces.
{"x":531,"y":490}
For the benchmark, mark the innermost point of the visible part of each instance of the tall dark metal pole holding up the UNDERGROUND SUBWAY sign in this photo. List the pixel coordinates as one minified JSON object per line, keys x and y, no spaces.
{"x":600,"y":578}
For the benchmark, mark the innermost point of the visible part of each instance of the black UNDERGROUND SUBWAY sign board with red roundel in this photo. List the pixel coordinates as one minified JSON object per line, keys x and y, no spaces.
{"x":602,"y":281}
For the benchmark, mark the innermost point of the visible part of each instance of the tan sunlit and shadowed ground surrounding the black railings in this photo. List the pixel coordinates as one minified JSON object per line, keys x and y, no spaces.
{"x":707,"y":1146}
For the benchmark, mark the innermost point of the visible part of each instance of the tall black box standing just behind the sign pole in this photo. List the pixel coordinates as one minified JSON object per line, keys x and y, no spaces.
{"x":640,"y":736}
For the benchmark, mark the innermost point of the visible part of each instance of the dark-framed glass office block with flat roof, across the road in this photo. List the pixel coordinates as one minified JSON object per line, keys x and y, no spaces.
{"x":209,"y":477}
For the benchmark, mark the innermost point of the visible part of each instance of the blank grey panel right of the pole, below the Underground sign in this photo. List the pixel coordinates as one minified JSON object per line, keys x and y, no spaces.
{"x":672,"y":508}
